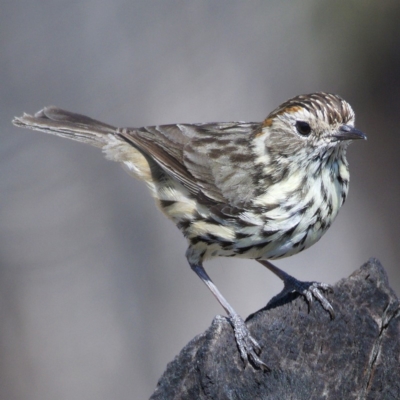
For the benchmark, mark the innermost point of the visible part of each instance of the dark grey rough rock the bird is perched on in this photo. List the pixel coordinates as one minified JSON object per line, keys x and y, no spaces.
{"x":354,"y":356}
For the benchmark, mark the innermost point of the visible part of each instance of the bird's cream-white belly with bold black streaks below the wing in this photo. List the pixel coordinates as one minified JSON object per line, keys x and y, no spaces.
{"x":279,"y":232}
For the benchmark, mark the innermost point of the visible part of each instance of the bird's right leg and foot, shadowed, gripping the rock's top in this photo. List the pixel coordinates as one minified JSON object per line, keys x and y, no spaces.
{"x":307,"y":289}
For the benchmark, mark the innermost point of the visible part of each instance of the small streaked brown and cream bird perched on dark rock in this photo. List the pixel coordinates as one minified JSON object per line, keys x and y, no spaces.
{"x":254,"y":190}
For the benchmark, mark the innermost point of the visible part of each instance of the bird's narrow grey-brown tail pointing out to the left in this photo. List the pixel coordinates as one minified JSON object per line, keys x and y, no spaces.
{"x":66,"y":124}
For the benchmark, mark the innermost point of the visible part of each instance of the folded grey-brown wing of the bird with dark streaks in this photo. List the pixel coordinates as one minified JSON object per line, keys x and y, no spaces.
{"x":213,"y":160}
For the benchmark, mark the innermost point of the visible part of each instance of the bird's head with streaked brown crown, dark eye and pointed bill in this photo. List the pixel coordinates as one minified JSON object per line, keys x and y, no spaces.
{"x":312,"y":124}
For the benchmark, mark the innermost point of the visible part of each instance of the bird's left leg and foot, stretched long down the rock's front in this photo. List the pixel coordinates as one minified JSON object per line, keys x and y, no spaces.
{"x":247,"y":345}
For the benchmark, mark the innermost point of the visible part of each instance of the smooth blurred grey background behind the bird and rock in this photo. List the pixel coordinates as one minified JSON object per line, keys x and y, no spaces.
{"x":96,"y":296}
